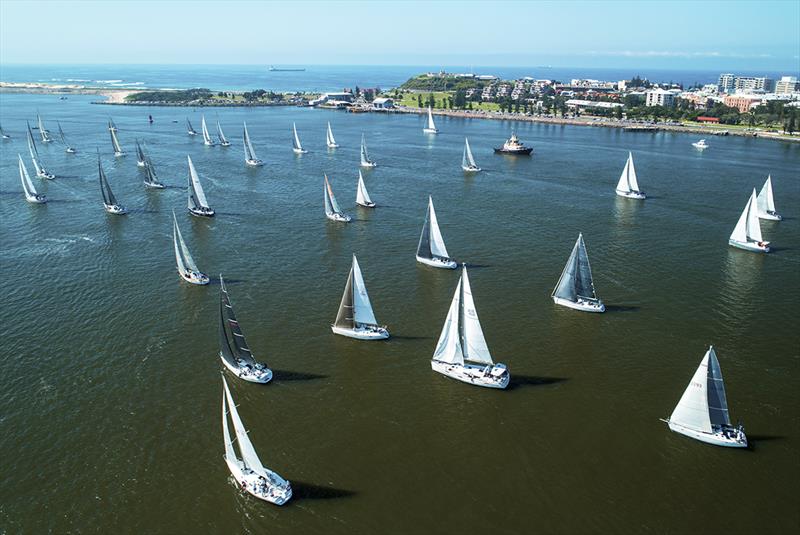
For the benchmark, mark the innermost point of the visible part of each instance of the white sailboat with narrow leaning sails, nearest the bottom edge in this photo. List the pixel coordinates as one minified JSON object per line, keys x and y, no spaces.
{"x":249,"y":473}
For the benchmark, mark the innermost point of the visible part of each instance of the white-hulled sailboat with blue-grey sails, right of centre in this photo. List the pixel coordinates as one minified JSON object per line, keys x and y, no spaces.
{"x":575,"y":288}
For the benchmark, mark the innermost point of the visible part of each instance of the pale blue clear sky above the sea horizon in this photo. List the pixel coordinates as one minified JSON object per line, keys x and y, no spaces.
{"x":752,"y":35}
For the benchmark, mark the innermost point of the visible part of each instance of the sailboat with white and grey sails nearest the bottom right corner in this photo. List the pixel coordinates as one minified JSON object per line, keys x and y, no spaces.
{"x":702,"y":412}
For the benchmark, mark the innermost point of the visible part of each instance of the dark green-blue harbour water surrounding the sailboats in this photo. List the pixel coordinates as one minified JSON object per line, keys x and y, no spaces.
{"x":110,"y":394}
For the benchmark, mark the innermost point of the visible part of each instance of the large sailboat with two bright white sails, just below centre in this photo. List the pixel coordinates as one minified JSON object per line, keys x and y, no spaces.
{"x":461,"y":352}
